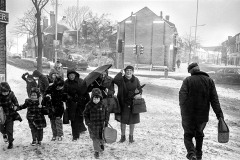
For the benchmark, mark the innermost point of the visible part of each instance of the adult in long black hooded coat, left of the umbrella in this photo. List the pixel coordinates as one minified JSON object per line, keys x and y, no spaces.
{"x":76,"y":101}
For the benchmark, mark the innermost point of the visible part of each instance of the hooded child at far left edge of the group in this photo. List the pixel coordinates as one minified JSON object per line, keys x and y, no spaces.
{"x":9,"y":103}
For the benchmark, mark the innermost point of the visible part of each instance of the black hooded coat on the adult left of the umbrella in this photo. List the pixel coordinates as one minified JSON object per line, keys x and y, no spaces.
{"x":76,"y":98}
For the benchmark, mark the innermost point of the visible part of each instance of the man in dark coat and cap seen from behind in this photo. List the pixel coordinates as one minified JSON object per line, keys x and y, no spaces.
{"x":196,"y":94}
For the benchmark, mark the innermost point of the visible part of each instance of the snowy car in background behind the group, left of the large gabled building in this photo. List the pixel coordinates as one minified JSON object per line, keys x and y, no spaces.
{"x":73,"y":61}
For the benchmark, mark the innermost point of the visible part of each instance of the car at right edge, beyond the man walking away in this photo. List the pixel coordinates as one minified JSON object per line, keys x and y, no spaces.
{"x":227,"y":75}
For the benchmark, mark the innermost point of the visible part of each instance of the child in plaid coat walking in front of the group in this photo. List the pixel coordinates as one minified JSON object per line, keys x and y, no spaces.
{"x":96,"y":118}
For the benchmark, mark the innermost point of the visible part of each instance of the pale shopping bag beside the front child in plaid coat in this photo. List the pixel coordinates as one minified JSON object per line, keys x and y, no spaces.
{"x":109,"y":134}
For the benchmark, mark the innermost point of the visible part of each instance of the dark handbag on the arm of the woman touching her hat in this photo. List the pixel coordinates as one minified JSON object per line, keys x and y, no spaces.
{"x":139,"y":106}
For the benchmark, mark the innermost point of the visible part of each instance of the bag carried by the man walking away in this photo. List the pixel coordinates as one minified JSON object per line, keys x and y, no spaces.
{"x":223,"y":131}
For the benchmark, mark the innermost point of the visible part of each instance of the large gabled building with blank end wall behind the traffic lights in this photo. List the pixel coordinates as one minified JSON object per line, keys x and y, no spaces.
{"x":156,"y":34}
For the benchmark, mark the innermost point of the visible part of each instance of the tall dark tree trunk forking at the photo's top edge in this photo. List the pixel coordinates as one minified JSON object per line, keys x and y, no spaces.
{"x":39,"y":5}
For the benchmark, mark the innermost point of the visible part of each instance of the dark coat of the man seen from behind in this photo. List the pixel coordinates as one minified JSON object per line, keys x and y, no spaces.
{"x":195,"y":96}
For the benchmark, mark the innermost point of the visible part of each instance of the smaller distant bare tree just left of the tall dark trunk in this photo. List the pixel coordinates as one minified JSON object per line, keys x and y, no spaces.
{"x":27,"y":25}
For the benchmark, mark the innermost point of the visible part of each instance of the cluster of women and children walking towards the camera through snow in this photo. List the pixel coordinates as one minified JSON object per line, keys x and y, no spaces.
{"x":52,"y":95}
